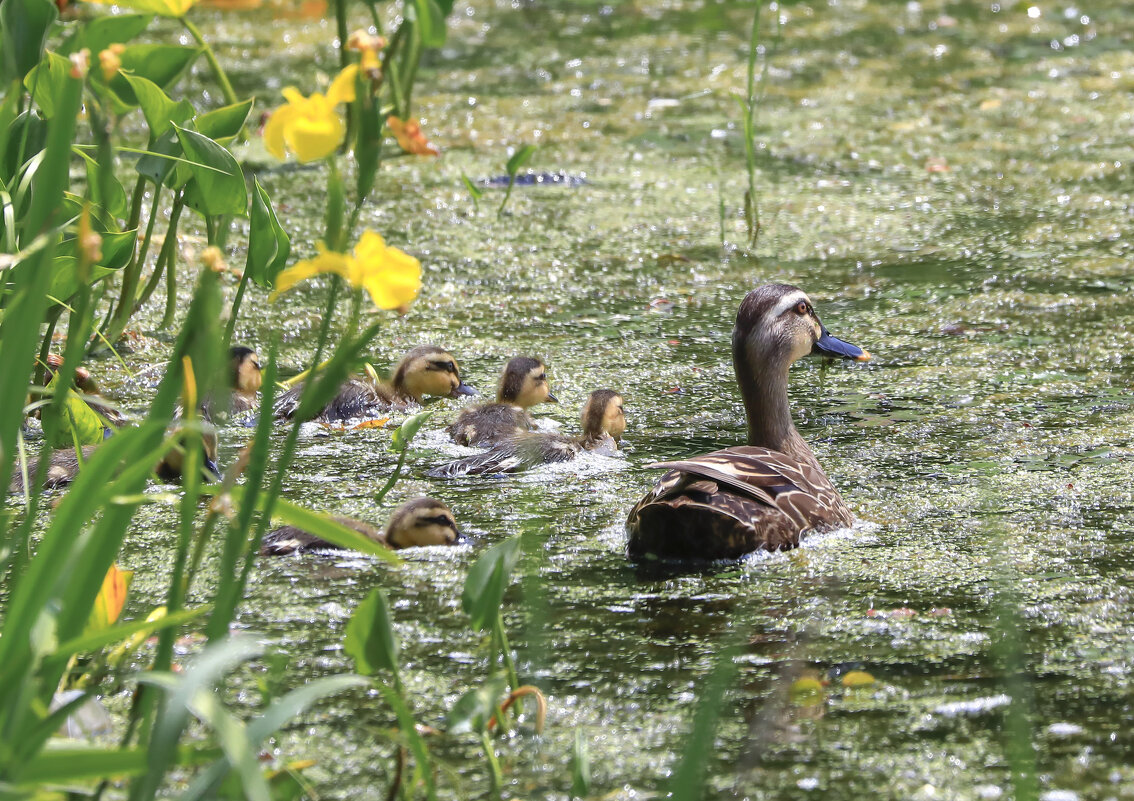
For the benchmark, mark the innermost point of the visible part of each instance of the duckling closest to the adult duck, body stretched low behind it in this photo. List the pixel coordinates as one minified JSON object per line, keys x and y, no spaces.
{"x":604,"y":424}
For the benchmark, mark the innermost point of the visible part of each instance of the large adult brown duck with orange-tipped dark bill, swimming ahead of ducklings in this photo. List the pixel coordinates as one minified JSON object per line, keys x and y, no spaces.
{"x":771,"y":493}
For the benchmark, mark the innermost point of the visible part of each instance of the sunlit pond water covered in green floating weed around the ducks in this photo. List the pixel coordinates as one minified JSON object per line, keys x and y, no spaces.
{"x":950,"y":182}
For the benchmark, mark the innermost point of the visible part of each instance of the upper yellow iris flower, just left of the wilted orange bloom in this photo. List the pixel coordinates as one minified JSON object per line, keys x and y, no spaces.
{"x":311,"y":129}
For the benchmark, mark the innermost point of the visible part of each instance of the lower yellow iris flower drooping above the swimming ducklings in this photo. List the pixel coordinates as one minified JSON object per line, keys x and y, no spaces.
{"x":393,"y":279}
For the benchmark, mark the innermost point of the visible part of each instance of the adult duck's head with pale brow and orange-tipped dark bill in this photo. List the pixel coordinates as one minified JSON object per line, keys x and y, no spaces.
{"x":777,"y":326}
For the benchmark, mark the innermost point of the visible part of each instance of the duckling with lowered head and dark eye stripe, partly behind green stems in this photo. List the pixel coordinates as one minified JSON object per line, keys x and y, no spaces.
{"x":425,"y":370}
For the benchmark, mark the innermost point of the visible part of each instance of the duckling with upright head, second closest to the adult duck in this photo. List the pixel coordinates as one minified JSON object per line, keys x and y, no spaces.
{"x":523,"y":385}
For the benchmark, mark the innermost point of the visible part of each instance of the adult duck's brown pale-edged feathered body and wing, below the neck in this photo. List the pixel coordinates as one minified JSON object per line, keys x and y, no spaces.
{"x":733,"y":502}
